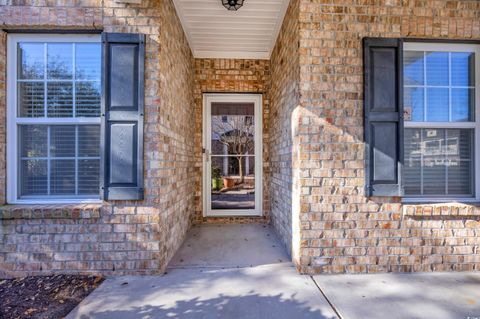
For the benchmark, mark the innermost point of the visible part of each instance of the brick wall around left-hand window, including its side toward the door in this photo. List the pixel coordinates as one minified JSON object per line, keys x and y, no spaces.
{"x":118,"y":237}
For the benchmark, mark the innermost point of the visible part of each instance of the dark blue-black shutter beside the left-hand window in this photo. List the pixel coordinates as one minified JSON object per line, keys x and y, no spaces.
{"x":123,"y":58}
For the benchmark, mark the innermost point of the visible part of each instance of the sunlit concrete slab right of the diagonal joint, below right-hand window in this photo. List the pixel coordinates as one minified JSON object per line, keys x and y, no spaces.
{"x":452,"y":295}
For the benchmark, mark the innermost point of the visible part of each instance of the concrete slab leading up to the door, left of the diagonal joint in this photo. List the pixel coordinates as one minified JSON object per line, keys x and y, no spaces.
{"x":227,"y":272}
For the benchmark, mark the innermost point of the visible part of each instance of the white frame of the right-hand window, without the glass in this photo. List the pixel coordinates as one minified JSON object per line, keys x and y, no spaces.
{"x":452,"y":47}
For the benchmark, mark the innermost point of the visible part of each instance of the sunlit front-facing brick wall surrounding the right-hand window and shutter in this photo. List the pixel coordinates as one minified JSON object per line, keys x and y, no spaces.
{"x":341,"y":229}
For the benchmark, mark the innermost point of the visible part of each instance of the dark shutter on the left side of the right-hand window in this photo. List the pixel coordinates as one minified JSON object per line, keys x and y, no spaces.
{"x":383,"y":111}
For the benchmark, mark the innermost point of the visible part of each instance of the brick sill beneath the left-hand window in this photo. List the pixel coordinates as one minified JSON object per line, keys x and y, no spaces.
{"x":51,"y":211}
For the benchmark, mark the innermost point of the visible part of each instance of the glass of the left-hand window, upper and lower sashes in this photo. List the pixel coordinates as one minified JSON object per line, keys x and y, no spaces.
{"x":49,"y":154}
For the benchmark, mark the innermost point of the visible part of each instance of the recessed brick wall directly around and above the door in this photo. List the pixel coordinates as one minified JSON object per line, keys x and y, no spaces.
{"x":231,"y":76}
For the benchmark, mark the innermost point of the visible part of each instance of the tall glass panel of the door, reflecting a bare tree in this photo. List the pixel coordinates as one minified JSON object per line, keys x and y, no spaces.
{"x":232,"y":156}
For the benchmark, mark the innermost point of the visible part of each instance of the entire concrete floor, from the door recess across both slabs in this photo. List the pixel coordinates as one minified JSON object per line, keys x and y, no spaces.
{"x":242,"y":271}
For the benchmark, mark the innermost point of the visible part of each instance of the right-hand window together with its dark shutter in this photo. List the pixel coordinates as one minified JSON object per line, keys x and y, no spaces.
{"x":422,"y":133}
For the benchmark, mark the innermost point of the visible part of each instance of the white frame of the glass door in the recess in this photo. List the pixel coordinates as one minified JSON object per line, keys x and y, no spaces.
{"x":208,"y":98}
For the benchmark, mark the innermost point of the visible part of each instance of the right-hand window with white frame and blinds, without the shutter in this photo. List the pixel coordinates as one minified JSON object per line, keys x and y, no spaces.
{"x":441,"y":103}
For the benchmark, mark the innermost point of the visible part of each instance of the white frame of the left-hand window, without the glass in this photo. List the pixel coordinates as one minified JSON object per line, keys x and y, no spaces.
{"x":13,"y":120}
